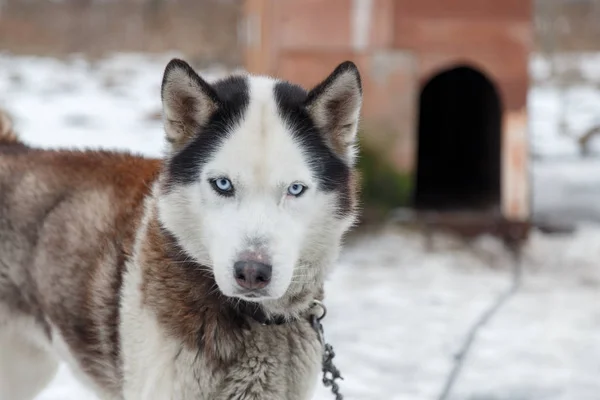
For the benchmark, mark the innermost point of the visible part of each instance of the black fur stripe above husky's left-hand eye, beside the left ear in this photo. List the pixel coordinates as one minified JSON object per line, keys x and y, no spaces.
{"x":232,"y":99}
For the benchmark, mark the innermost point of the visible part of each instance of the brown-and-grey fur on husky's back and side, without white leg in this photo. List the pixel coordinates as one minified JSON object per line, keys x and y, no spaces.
{"x":39,"y":190}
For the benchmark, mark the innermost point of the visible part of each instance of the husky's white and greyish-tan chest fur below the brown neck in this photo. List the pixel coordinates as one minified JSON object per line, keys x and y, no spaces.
{"x":271,"y":363}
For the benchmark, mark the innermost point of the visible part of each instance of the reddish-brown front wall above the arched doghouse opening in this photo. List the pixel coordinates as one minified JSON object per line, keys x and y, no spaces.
{"x":495,"y":36}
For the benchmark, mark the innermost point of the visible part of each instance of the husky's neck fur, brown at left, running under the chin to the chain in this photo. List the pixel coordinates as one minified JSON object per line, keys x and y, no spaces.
{"x":188,"y":304}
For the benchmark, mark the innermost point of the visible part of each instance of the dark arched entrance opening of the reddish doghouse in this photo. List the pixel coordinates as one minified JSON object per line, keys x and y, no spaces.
{"x":458,"y":165}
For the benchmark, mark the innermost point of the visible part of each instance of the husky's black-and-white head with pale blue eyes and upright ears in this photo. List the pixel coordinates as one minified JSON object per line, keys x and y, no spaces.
{"x":259,"y":185}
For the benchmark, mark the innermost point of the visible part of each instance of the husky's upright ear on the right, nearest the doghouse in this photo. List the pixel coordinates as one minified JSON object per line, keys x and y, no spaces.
{"x":334,"y":105}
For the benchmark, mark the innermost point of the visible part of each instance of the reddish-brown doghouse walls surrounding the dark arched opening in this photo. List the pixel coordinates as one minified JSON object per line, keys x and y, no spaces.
{"x":398,"y":45}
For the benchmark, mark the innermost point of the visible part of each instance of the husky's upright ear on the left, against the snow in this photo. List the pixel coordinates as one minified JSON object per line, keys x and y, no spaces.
{"x":188,"y":102}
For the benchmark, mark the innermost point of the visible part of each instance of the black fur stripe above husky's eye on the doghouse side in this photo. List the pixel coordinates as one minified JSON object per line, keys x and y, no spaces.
{"x":332,"y":172}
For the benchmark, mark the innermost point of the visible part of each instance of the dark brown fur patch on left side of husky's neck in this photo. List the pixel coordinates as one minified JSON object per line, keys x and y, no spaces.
{"x":185,"y":298}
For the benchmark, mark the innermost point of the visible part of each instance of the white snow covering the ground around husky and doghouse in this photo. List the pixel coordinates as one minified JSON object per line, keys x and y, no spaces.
{"x":398,"y":311}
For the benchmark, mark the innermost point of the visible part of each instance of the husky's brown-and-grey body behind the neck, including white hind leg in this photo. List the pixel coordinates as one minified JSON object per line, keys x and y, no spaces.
{"x":66,"y":220}
